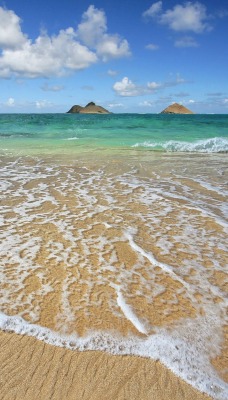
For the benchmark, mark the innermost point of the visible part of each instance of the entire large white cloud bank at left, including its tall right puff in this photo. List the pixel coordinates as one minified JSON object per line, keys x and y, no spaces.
{"x":70,"y":50}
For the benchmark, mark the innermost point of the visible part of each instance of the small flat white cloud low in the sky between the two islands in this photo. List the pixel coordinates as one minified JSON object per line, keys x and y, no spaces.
{"x":127,"y":88}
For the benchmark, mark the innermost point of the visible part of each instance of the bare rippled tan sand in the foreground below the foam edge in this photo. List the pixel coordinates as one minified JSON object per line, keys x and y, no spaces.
{"x":32,"y":369}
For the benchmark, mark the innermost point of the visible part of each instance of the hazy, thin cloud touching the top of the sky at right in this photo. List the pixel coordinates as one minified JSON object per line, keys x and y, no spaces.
{"x":182,"y":17}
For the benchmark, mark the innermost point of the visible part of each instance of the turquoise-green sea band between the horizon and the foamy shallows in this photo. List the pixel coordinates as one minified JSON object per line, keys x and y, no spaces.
{"x":56,"y":132}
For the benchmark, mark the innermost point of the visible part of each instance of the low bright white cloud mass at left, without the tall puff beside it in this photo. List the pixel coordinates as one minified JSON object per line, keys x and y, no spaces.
{"x":47,"y":56}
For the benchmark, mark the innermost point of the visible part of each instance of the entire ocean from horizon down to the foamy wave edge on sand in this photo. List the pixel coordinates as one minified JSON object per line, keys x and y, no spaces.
{"x":114,"y":236}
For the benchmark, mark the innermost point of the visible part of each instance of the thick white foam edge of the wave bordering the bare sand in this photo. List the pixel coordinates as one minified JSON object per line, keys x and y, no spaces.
{"x":172,"y":348}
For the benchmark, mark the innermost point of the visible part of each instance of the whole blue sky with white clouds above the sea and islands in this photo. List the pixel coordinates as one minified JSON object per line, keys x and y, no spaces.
{"x":125,"y":55}
